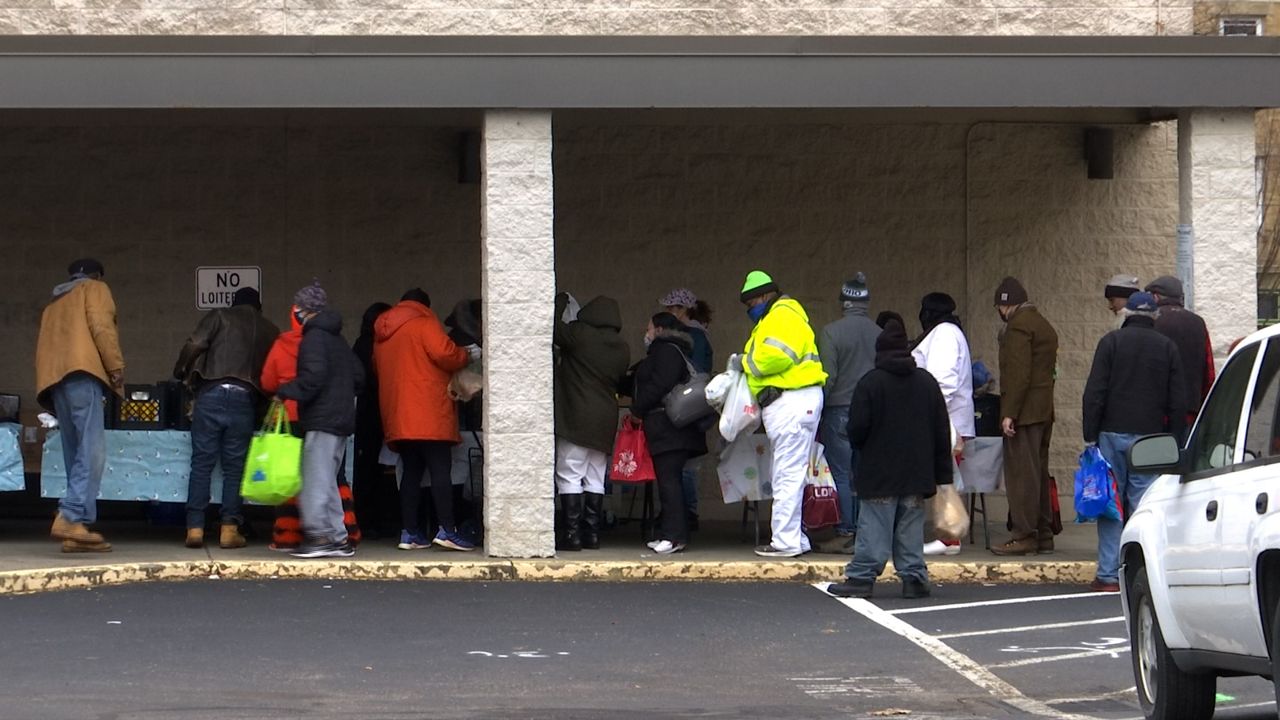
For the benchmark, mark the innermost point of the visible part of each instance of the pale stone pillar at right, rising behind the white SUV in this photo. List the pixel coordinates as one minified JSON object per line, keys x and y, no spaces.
{"x":1218,"y":198}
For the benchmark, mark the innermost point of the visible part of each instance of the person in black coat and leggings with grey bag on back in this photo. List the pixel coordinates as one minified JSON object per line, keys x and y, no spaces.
{"x":664,"y":368}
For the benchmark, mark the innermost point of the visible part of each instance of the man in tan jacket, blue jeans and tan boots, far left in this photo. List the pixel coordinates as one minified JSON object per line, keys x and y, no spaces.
{"x":77,"y":361}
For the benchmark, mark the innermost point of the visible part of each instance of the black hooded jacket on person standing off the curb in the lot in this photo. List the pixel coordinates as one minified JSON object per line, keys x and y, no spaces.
{"x":898,"y":421}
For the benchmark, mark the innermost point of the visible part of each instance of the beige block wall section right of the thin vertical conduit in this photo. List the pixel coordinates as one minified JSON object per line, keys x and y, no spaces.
{"x":1037,"y":217}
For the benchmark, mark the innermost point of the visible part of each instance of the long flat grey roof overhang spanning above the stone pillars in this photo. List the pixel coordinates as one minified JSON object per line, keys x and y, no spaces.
{"x":1155,"y":75}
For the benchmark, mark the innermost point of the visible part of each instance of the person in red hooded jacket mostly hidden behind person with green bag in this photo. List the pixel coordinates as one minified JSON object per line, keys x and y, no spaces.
{"x":281,"y":368}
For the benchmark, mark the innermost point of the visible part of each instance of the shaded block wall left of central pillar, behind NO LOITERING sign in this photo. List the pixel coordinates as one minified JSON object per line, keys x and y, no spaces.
{"x":369,"y":211}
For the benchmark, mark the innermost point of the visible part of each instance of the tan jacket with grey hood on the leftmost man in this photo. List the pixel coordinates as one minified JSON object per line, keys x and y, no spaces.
{"x":77,"y":335}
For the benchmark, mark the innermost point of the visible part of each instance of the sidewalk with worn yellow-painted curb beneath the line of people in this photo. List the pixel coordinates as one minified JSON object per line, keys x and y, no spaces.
{"x":30,"y":562}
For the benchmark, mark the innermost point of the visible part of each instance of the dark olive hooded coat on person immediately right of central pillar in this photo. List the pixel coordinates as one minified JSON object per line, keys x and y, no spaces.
{"x":593,"y":361}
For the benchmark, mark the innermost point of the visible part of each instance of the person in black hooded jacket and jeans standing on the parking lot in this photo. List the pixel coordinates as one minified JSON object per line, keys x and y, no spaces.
{"x":898,"y":421}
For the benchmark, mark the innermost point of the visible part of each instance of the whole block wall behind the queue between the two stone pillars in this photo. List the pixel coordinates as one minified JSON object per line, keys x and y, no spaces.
{"x":642,"y":209}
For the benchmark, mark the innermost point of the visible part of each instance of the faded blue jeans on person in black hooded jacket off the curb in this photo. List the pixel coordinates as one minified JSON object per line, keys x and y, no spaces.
{"x":890,"y":526}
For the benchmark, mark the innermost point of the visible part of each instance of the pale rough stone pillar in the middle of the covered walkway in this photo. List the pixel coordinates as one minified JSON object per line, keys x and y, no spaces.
{"x":519,"y":279}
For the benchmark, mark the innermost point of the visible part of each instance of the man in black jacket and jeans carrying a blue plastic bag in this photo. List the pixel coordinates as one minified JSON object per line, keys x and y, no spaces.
{"x":1135,"y":389}
